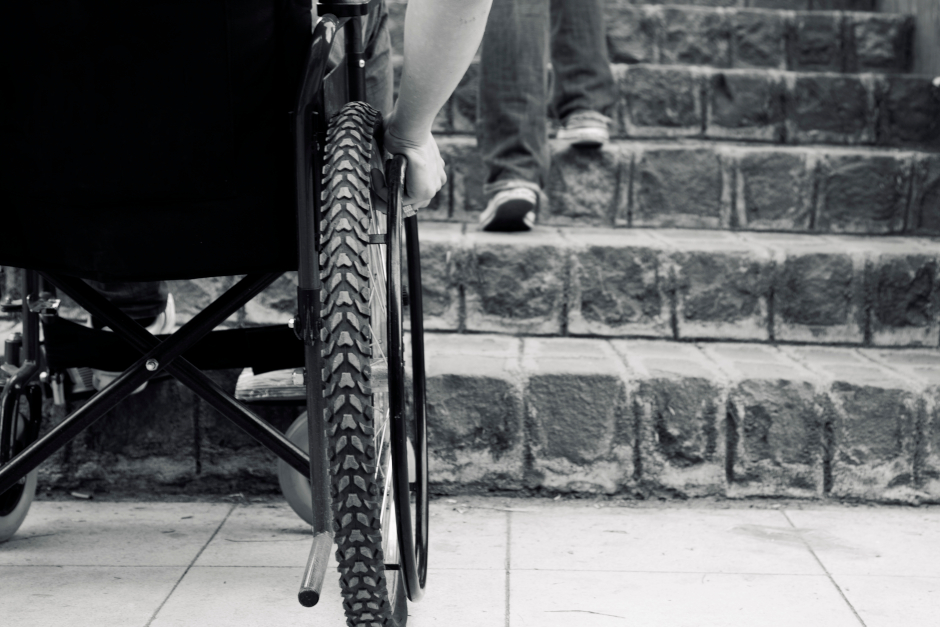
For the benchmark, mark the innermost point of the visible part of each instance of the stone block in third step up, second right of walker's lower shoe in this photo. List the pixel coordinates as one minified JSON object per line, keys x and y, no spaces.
{"x":676,"y":186}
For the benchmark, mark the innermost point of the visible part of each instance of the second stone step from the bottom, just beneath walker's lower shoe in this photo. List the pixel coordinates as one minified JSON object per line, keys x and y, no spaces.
{"x":683,"y":285}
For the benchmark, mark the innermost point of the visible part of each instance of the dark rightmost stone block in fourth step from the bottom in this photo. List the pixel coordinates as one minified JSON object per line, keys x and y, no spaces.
{"x":909,"y":112}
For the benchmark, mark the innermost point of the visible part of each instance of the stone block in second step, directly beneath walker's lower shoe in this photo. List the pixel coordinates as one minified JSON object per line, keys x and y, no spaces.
{"x":515,"y":282}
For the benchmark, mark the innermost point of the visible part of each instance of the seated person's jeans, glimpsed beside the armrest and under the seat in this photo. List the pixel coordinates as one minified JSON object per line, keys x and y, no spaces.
{"x":145,"y":300}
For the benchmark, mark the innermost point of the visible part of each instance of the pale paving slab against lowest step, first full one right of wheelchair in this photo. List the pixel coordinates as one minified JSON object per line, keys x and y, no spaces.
{"x":699,"y":541}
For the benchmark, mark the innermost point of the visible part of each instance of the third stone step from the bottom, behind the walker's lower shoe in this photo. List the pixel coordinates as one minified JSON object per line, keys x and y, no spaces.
{"x":717,"y":185}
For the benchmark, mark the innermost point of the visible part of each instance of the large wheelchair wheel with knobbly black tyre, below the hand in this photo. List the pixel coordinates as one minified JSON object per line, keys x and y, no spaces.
{"x":354,"y":314}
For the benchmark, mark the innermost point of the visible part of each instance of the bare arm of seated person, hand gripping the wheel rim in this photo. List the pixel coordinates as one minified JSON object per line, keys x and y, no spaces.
{"x":441,"y":37}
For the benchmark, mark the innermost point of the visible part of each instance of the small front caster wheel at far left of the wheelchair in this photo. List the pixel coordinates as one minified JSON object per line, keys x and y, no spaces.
{"x":15,"y":502}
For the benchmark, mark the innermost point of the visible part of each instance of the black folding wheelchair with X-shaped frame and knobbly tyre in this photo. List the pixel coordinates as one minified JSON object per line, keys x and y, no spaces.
{"x":271,"y":173}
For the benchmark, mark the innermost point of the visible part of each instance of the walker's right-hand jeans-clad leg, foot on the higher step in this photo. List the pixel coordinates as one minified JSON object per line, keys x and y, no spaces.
{"x":583,"y":82}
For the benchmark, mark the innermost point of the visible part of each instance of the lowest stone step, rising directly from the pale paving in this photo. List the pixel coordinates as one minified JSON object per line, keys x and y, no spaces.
{"x":638,"y":418}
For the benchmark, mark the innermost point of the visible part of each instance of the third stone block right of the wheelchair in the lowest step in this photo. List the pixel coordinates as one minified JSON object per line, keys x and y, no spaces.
{"x":677,"y":397}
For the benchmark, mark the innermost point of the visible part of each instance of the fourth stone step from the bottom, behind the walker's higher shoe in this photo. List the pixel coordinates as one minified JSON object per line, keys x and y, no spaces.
{"x":769,"y":106}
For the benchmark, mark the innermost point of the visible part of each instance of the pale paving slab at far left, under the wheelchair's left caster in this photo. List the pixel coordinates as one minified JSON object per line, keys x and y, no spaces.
{"x":113,"y":534}
